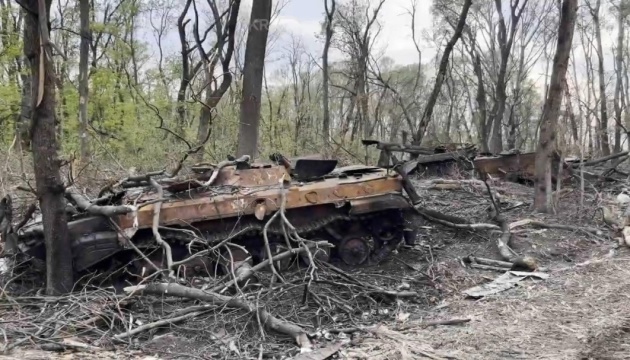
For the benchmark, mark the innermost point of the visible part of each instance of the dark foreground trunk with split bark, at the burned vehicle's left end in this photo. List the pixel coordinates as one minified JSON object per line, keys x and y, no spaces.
{"x":49,"y":185}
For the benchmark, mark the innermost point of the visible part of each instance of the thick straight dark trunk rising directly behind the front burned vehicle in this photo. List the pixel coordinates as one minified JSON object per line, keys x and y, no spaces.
{"x":252,"y":78}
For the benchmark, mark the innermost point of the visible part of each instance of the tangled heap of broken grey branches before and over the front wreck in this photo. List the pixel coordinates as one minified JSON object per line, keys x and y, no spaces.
{"x":296,"y":304}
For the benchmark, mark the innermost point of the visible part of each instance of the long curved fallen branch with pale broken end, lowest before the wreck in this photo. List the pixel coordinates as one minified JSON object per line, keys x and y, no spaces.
{"x":267,"y":320}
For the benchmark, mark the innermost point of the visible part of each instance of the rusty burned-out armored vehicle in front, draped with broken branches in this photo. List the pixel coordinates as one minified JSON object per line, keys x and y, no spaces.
{"x":359,"y":209}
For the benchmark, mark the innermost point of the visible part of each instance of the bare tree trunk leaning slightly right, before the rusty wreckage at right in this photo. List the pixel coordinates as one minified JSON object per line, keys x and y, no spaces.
{"x":551,"y":110}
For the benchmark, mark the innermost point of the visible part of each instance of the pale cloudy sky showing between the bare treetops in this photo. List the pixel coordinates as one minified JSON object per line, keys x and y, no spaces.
{"x":302,"y":19}
